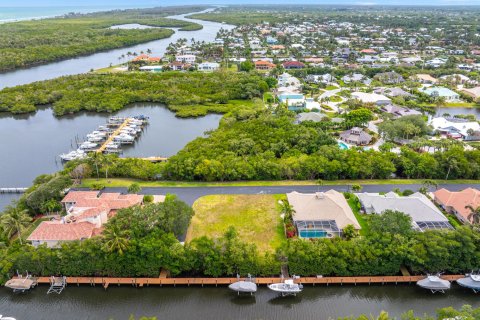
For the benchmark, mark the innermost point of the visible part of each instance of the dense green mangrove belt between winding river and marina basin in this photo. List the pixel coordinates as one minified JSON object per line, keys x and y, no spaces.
{"x":189,"y":94}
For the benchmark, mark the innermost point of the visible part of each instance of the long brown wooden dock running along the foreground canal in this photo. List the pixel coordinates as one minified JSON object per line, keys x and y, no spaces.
{"x":142,"y":282}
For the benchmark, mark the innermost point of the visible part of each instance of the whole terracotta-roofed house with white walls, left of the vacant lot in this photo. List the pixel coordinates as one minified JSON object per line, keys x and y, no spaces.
{"x":87,"y":212}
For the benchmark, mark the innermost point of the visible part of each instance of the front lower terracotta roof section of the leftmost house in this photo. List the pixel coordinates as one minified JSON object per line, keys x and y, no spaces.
{"x":58,"y":231}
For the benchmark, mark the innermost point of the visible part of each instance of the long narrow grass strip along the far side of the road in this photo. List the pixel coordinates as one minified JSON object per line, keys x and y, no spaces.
{"x":114,"y":182}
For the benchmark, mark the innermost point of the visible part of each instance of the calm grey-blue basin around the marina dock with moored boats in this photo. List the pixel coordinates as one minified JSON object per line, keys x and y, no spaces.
{"x":31,"y":143}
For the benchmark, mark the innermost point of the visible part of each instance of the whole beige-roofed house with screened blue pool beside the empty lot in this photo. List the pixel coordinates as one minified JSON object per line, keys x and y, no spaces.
{"x":321,"y":214}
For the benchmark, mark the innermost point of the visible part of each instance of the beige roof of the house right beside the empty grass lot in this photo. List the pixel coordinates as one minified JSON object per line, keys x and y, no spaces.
{"x":330,"y":205}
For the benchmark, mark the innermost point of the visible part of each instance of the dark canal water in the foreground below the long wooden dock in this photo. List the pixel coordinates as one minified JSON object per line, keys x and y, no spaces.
{"x":320,"y":302}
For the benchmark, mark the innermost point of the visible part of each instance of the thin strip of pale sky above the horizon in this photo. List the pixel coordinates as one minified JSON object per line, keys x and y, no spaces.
{"x":143,"y":3}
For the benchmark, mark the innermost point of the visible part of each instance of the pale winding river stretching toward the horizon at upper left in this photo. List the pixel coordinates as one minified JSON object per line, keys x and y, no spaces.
{"x":104,"y":59}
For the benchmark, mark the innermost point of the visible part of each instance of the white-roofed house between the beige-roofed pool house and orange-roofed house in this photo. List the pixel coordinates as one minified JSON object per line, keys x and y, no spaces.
{"x":425,"y":215}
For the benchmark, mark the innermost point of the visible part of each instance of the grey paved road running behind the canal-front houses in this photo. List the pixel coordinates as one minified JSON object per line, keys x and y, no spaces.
{"x":190,"y":194}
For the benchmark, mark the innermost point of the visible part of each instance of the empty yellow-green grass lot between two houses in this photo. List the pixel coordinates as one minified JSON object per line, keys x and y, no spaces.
{"x":255,"y":217}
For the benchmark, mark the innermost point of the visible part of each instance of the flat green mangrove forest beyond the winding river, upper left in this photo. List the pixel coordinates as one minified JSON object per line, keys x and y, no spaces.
{"x":26,"y":43}
